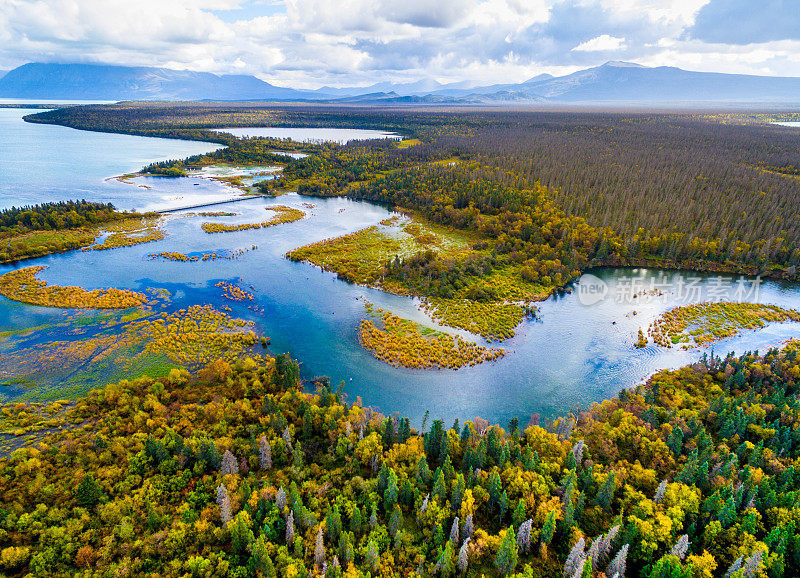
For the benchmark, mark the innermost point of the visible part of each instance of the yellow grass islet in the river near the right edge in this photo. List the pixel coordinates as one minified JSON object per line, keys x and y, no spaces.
{"x":705,"y":323}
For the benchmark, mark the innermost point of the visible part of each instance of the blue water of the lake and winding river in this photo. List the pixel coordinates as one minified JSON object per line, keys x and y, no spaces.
{"x":575,"y":353}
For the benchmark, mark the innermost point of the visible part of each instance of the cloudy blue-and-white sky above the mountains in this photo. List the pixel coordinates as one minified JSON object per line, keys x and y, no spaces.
{"x":311,"y":43}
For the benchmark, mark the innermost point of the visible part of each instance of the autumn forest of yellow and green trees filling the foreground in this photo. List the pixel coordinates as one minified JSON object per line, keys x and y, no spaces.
{"x":237,"y":472}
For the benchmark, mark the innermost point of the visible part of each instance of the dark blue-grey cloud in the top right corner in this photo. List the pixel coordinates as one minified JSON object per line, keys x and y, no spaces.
{"x":747,"y":22}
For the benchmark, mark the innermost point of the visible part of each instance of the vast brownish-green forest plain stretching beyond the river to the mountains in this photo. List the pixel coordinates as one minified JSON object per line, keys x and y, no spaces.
{"x":703,"y":192}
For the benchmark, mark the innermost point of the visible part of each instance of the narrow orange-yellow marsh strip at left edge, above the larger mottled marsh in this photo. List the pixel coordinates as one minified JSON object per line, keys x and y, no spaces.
{"x":22,"y":285}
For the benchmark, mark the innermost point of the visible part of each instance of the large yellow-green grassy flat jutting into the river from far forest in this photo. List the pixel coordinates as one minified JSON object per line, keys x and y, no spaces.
{"x":388,"y":256}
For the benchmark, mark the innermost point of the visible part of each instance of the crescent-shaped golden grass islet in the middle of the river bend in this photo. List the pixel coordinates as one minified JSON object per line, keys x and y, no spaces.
{"x":403,"y":343}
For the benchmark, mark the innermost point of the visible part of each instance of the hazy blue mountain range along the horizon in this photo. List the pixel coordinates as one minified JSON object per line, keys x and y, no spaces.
{"x":611,"y":82}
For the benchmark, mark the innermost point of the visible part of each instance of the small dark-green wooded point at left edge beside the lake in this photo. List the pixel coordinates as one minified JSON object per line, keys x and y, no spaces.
{"x":54,"y":216}
